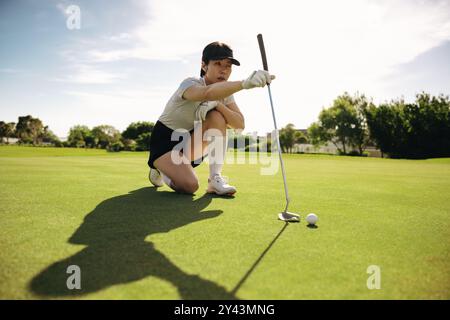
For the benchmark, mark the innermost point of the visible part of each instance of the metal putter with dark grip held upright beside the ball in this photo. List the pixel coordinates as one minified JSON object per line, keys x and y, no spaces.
{"x":285,"y":215}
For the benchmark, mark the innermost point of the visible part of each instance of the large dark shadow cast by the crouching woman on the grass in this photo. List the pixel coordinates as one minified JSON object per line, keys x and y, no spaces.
{"x":117,"y":253}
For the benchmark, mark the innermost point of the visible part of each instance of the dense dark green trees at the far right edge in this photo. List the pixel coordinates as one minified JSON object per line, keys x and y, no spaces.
{"x":412,"y":130}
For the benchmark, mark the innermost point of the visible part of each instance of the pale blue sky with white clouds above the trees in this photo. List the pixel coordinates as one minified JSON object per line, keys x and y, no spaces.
{"x":127,"y":57}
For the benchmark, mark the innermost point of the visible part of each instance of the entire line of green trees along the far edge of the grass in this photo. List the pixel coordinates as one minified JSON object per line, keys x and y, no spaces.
{"x":352,"y":123}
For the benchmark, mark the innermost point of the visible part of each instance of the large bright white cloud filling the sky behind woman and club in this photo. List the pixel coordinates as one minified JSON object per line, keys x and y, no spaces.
{"x":318,"y":49}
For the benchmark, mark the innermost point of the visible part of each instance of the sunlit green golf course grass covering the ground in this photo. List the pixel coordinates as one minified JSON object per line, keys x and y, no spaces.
{"x":94,"y":209}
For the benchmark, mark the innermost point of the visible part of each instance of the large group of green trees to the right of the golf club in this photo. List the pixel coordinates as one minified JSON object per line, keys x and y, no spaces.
{"x":415,"y":130}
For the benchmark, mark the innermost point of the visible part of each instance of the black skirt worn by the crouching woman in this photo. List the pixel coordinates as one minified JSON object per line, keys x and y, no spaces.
{"x":161,"y":143}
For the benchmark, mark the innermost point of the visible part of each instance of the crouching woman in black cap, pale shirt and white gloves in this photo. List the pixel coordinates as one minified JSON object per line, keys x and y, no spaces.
{"x":206,"y":103}
